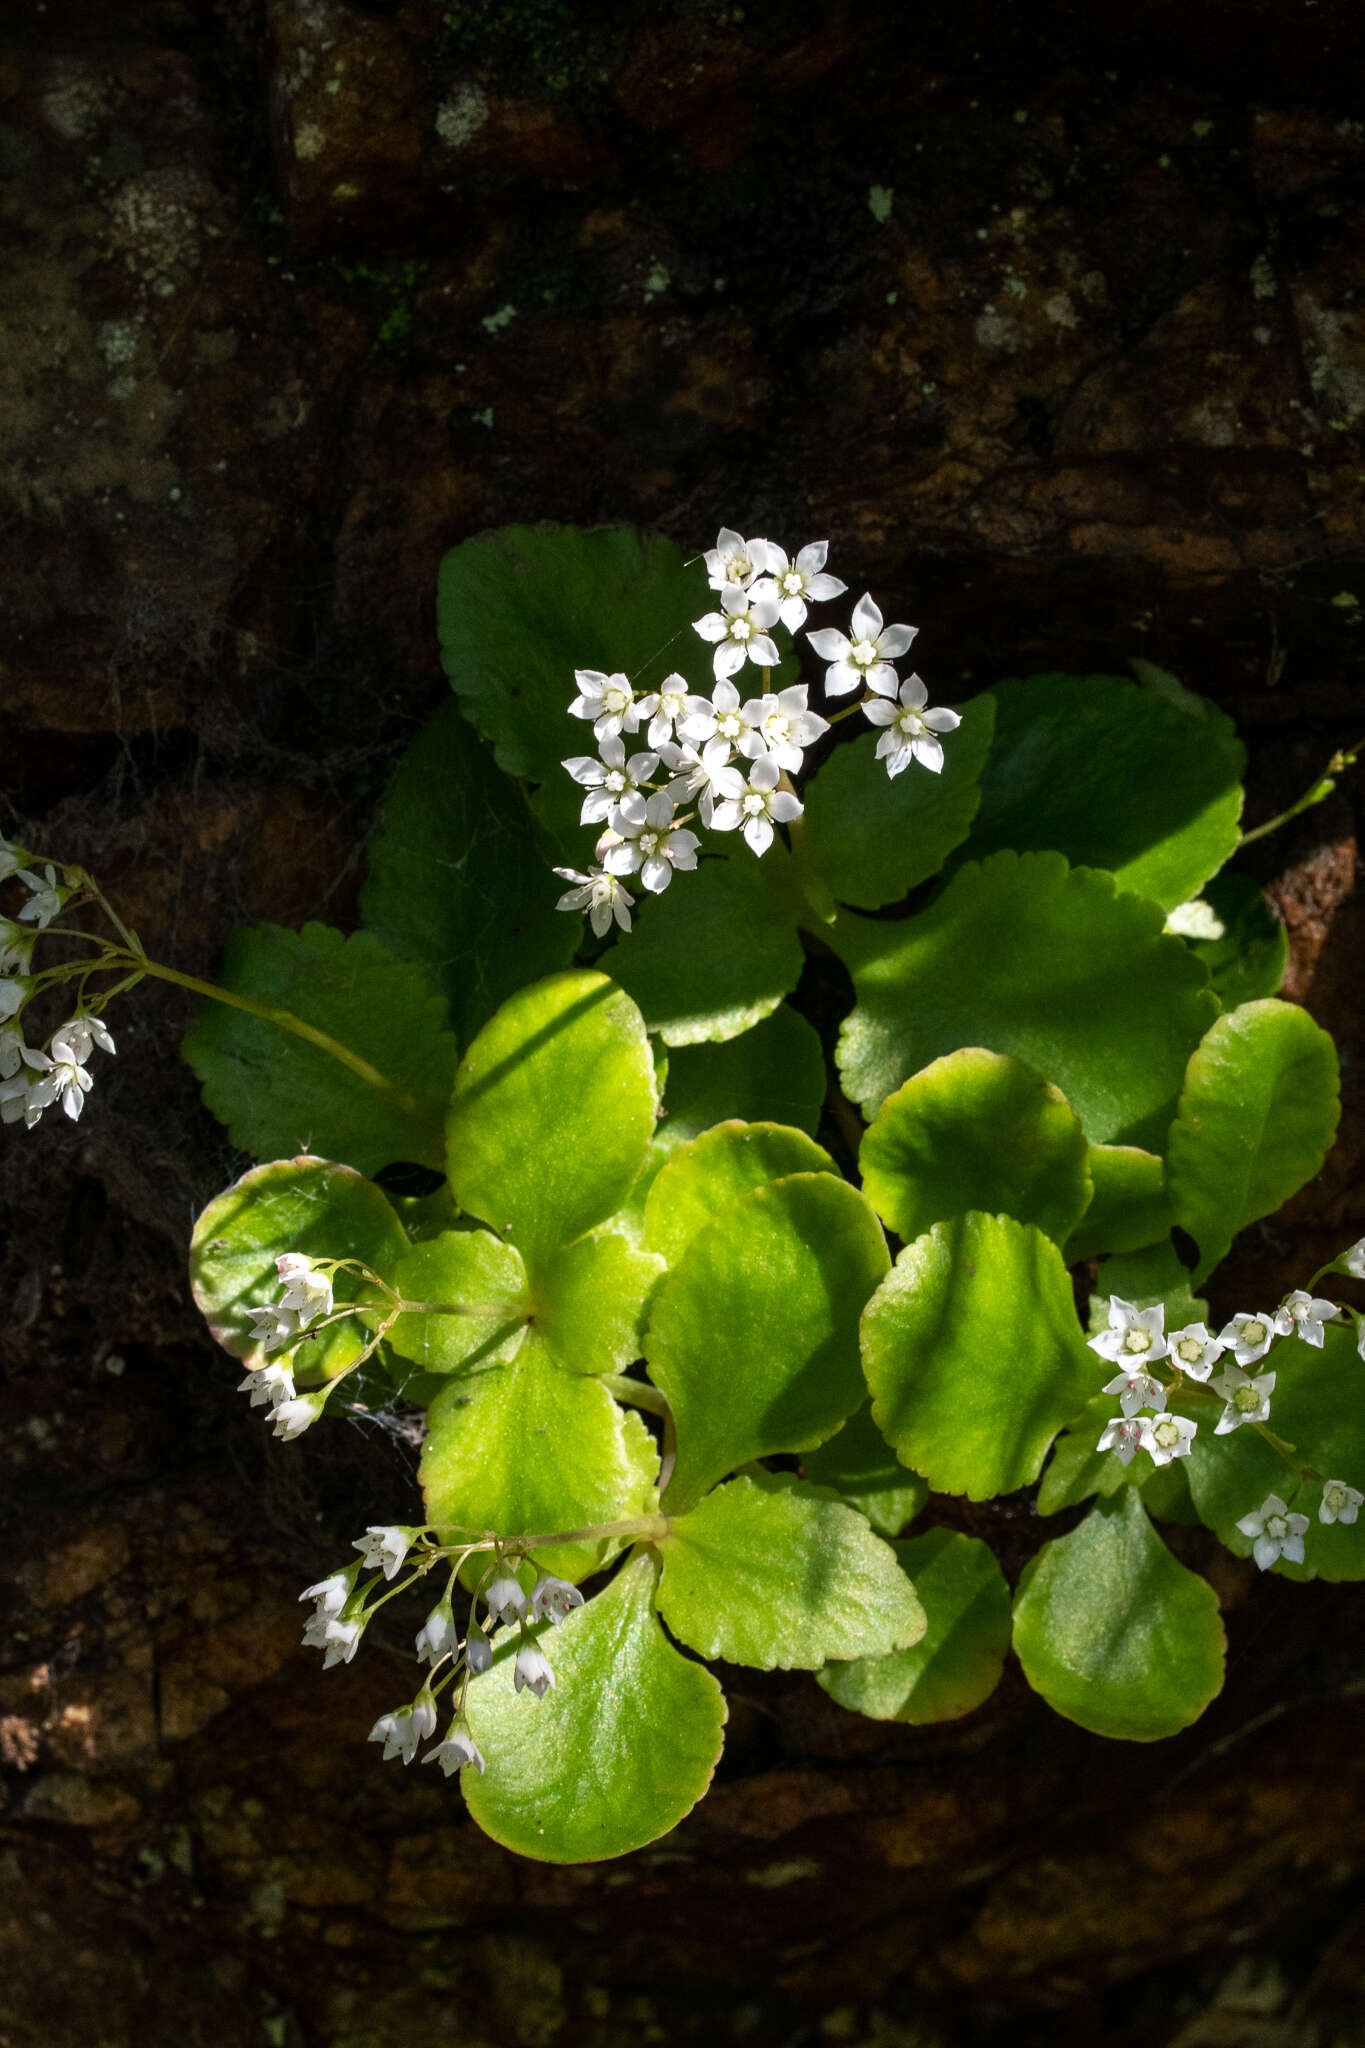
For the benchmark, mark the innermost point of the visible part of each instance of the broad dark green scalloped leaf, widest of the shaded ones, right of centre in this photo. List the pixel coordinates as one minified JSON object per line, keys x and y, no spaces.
{"x":1030,"y":957}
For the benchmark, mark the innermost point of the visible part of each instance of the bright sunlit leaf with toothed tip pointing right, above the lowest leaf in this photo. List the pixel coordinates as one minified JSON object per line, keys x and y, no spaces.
{"x":779,"y":1576}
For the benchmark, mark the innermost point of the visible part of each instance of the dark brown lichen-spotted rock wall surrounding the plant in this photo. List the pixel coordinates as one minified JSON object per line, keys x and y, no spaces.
{"x":298,"y":296}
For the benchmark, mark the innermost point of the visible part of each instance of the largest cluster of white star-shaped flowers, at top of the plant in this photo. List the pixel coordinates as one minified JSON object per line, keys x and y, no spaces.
{"x":730,"y":757}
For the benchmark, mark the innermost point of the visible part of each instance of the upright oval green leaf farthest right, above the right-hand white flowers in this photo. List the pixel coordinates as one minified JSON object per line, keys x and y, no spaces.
{"x":1258,"y":1119}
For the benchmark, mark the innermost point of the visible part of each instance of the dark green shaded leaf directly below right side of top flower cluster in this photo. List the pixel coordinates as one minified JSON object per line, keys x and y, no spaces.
{"x":871,"y":839}
